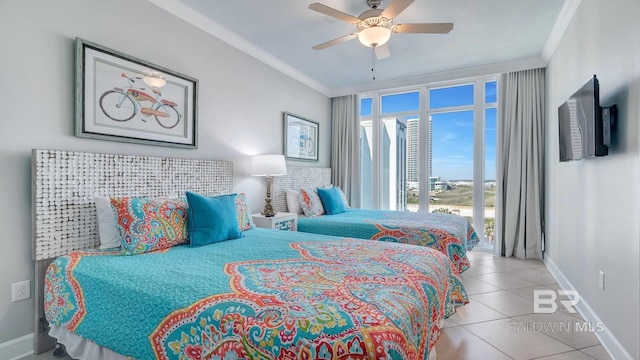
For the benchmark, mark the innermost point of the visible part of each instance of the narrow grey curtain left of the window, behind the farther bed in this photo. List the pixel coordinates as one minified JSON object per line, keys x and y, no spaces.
{"x":345,"y":147}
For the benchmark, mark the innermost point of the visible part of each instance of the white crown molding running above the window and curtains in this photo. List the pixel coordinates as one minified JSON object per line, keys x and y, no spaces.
{"x":442,"y":76}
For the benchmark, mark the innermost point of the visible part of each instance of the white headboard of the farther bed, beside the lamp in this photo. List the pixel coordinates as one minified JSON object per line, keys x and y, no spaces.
{"x":298,"y":177}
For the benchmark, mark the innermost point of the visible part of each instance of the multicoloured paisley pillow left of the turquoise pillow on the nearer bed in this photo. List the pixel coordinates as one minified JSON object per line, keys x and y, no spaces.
{"x":150,"y":224}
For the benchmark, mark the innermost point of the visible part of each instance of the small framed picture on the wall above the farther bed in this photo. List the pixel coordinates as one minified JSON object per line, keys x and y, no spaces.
{"x":300,"y":138}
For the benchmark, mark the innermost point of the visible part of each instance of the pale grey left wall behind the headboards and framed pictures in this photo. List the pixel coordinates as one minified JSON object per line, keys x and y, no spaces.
{"x":241,"y":101}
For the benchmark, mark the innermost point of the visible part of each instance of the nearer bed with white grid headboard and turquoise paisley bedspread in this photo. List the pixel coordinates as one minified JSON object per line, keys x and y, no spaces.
{"x":267,"y":294}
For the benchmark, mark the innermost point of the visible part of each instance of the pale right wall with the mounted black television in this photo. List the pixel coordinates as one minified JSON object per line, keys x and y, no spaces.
{"x":592,"y":206}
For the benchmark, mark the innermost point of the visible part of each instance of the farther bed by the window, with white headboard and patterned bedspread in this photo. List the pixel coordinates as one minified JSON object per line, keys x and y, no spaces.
{"x":451,"y":234}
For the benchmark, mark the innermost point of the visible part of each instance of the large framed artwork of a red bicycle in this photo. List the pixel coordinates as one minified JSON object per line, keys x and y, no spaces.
{"x":123,"y":98}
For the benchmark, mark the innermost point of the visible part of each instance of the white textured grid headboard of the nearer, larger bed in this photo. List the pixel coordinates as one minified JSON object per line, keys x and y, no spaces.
{"x":64,"y":183}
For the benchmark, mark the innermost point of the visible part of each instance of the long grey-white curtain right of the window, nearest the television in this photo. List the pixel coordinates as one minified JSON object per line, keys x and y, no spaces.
{"x":520,"y":179}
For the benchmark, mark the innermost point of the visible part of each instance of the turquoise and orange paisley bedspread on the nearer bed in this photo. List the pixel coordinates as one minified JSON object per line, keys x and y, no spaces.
{"x":269,"y":295}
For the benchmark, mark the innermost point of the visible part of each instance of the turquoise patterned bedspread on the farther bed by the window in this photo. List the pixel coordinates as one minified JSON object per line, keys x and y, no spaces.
{"x":451,"y":234}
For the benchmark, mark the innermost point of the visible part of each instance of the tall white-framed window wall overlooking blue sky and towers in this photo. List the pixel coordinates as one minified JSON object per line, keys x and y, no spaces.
{"x":432,"y":149}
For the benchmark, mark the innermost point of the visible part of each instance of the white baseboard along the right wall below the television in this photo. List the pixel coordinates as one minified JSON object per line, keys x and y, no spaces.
{"x":606,"y":338}
